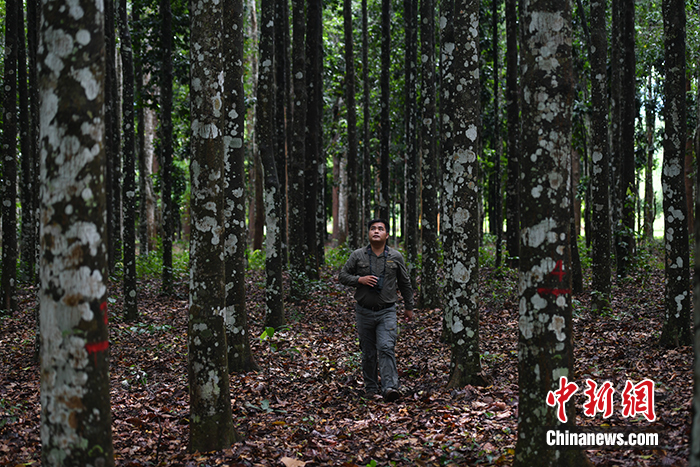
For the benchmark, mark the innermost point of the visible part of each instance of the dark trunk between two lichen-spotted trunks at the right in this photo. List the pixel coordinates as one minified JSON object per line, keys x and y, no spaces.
{"x":625,"y":238}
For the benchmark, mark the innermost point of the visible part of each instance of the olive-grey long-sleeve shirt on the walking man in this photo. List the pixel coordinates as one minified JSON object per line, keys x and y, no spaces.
{"x":363,"y":262}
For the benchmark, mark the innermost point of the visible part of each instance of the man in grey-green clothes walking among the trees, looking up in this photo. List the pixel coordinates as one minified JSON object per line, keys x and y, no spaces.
{"x":376,"y":271}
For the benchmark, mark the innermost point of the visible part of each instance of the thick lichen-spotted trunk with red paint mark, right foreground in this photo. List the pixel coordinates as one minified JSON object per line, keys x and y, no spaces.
{"x":545,"y":344}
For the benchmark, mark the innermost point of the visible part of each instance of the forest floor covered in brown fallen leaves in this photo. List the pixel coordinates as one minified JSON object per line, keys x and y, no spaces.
{"x":304,"y":406}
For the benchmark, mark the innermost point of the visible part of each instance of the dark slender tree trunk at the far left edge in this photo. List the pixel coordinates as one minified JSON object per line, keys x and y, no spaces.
{"x":9,"y":162}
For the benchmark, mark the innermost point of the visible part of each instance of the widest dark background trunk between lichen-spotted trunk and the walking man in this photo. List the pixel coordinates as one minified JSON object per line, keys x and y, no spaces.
{"x":312,"y":146}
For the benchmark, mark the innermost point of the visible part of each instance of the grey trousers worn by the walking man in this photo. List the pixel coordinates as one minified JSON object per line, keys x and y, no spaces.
{"x":377,"y":333}
